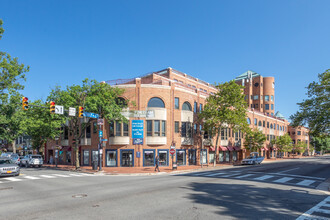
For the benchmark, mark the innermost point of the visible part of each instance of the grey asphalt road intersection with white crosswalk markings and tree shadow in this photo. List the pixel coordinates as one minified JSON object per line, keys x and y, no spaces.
{"x":280,"y":190}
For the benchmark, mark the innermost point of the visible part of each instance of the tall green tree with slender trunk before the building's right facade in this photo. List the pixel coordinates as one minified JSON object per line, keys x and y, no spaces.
{"x":226,"y":108}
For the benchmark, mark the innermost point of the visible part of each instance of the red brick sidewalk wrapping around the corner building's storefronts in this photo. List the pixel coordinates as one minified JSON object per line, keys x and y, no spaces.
{"x":136,"y":170}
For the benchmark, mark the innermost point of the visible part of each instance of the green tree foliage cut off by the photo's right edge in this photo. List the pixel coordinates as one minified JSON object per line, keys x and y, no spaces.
{"x":315,"y":111}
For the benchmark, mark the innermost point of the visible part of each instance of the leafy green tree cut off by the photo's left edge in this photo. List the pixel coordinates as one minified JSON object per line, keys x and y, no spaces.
{"x":11,"y":76}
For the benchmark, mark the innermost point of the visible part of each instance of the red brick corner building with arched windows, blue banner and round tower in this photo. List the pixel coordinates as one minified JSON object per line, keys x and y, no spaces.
{"x":166,"y":105}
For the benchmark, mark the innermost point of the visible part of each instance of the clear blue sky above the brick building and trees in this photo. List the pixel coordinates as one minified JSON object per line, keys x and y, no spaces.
{"x":64,"y":41}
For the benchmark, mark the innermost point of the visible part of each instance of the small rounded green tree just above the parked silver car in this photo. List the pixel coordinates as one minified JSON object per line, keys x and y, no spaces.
{"x":254,"y":140}
